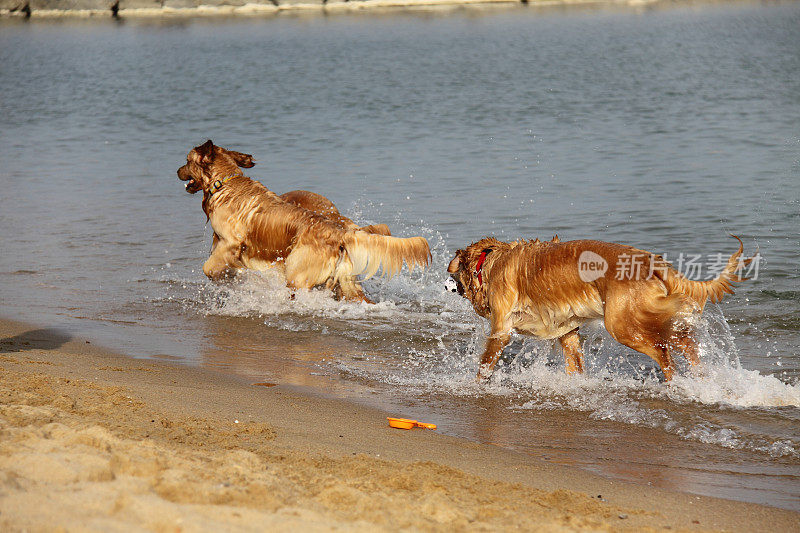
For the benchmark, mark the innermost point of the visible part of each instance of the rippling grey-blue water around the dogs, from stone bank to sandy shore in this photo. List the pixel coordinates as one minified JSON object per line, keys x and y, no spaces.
{"x":662,"y":128}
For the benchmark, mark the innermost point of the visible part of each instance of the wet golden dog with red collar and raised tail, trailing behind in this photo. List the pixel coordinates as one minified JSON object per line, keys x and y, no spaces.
{"x":548,"y":289}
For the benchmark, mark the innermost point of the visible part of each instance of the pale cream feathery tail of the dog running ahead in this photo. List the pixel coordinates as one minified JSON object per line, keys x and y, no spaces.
{"x":371,"y":252}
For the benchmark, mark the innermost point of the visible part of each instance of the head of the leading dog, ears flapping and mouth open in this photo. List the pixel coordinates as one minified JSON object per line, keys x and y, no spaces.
{"x":207,"y":163}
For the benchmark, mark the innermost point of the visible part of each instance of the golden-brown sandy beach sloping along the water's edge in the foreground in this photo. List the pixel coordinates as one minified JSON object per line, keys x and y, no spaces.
{"x":92,"y":440}
